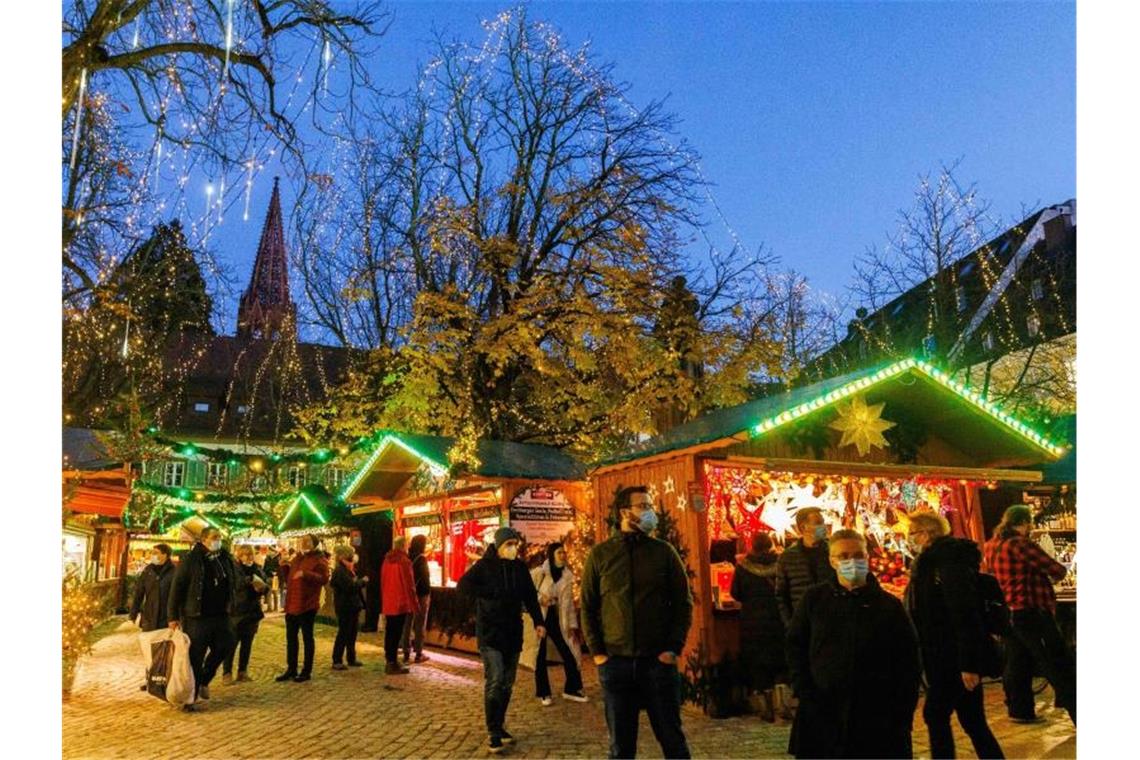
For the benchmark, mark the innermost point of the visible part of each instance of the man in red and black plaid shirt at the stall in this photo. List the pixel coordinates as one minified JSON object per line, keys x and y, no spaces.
{"x":1027,"y":576}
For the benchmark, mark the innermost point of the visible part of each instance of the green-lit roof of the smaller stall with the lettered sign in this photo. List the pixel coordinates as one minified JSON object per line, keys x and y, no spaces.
{"x":400,"y":456}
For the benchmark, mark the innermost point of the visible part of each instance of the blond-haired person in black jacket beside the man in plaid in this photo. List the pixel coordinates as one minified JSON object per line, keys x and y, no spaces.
{"x":942,"y":600}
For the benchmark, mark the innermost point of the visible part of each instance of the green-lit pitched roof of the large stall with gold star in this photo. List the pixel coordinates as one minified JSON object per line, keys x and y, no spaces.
{"x":964,"y":419}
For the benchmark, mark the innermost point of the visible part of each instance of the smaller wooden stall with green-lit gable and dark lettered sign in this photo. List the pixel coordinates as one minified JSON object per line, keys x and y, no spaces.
{"x":535,"y":489}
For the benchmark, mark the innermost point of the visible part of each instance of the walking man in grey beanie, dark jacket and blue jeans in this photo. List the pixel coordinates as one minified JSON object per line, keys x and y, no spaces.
{"x":502,"y":587}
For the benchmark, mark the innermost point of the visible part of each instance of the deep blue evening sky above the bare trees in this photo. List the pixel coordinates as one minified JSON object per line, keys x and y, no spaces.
{"x":813,"y":120}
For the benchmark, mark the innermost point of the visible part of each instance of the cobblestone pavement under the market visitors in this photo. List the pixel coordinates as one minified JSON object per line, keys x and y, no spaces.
{"x":434,"y":713}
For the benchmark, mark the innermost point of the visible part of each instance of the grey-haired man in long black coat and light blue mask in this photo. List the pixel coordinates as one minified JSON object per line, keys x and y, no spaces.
{"x":854,"y":664}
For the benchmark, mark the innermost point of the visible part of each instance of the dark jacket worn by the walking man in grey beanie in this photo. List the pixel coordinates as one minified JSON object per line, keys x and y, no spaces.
{"x":502,"y":589}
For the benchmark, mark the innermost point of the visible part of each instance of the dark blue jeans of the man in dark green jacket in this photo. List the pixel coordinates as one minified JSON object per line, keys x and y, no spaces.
{"x":634,"y":683}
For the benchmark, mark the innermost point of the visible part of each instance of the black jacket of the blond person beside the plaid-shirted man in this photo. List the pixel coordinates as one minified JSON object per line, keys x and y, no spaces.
{"x":942,"y":600}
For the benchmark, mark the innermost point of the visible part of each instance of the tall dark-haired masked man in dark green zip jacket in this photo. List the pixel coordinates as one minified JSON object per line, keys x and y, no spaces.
{"x":637,"y":611}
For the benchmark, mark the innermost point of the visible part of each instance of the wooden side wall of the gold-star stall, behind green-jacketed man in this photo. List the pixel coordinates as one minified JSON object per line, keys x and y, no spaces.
{"x":669,"y":480}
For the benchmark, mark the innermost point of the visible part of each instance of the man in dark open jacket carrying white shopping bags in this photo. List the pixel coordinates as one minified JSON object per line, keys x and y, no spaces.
{"x":201,"y":603}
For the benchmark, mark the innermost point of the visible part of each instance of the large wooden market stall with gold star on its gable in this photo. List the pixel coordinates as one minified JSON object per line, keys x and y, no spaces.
{"x":867,"y":448}
